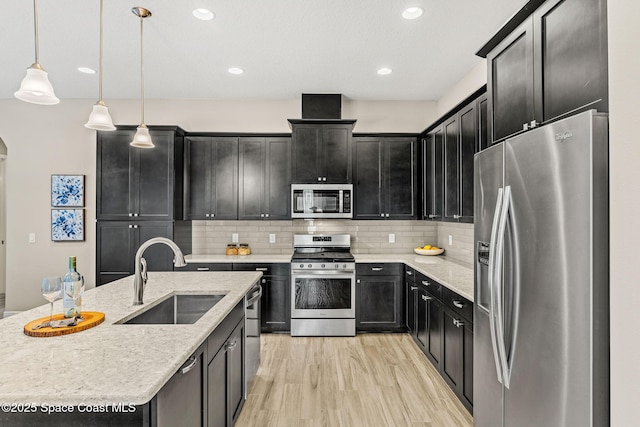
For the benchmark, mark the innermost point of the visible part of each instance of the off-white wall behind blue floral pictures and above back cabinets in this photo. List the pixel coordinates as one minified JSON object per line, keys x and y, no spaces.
{"x":45,"y":140}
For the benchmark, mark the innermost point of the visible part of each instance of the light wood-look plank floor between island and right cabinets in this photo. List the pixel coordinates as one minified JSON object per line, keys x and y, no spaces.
{"x":369,"y":380}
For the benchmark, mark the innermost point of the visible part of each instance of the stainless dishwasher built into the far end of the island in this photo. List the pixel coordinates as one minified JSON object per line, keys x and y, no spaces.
{"x":252,"y":335}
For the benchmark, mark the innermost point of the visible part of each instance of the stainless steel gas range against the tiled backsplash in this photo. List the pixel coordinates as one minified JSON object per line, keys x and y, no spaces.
{"x":323,"y":277}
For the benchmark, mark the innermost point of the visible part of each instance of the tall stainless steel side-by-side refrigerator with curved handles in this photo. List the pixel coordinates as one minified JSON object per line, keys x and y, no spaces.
{"x":541,"y":328}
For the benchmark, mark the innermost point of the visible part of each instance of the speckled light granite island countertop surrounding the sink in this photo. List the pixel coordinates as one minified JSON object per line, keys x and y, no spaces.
{"x":112,"y":363}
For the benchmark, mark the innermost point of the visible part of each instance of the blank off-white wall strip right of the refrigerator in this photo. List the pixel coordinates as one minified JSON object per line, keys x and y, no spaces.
{"x":624,"y":91}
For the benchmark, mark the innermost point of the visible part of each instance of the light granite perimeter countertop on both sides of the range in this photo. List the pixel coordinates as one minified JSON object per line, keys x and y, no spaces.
{"x":453,"y":274}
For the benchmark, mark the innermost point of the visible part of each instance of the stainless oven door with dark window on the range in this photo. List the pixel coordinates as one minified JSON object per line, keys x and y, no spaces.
{"x":323,"y":294}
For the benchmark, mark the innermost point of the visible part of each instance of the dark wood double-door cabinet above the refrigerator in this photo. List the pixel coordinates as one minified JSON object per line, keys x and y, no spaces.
{"x":548,"y":60}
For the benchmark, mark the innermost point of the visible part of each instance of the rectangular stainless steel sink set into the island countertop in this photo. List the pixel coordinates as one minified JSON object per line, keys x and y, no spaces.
{"x":177,"y":309}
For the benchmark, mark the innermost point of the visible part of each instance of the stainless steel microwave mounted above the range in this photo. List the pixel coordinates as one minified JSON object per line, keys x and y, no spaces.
{"x":321,"y":201}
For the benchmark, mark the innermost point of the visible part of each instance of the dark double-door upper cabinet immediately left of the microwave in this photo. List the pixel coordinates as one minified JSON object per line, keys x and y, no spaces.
{"x":264,"y":178}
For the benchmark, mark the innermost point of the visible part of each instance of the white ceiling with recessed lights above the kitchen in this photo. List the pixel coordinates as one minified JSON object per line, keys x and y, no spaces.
{"x":286,"y":47}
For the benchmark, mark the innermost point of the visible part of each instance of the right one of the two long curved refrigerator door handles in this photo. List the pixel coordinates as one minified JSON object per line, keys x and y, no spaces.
{"x":500,"y":338}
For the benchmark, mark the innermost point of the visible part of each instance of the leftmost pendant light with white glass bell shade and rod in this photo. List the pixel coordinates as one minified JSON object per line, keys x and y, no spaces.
{"x":35,"y":87}
